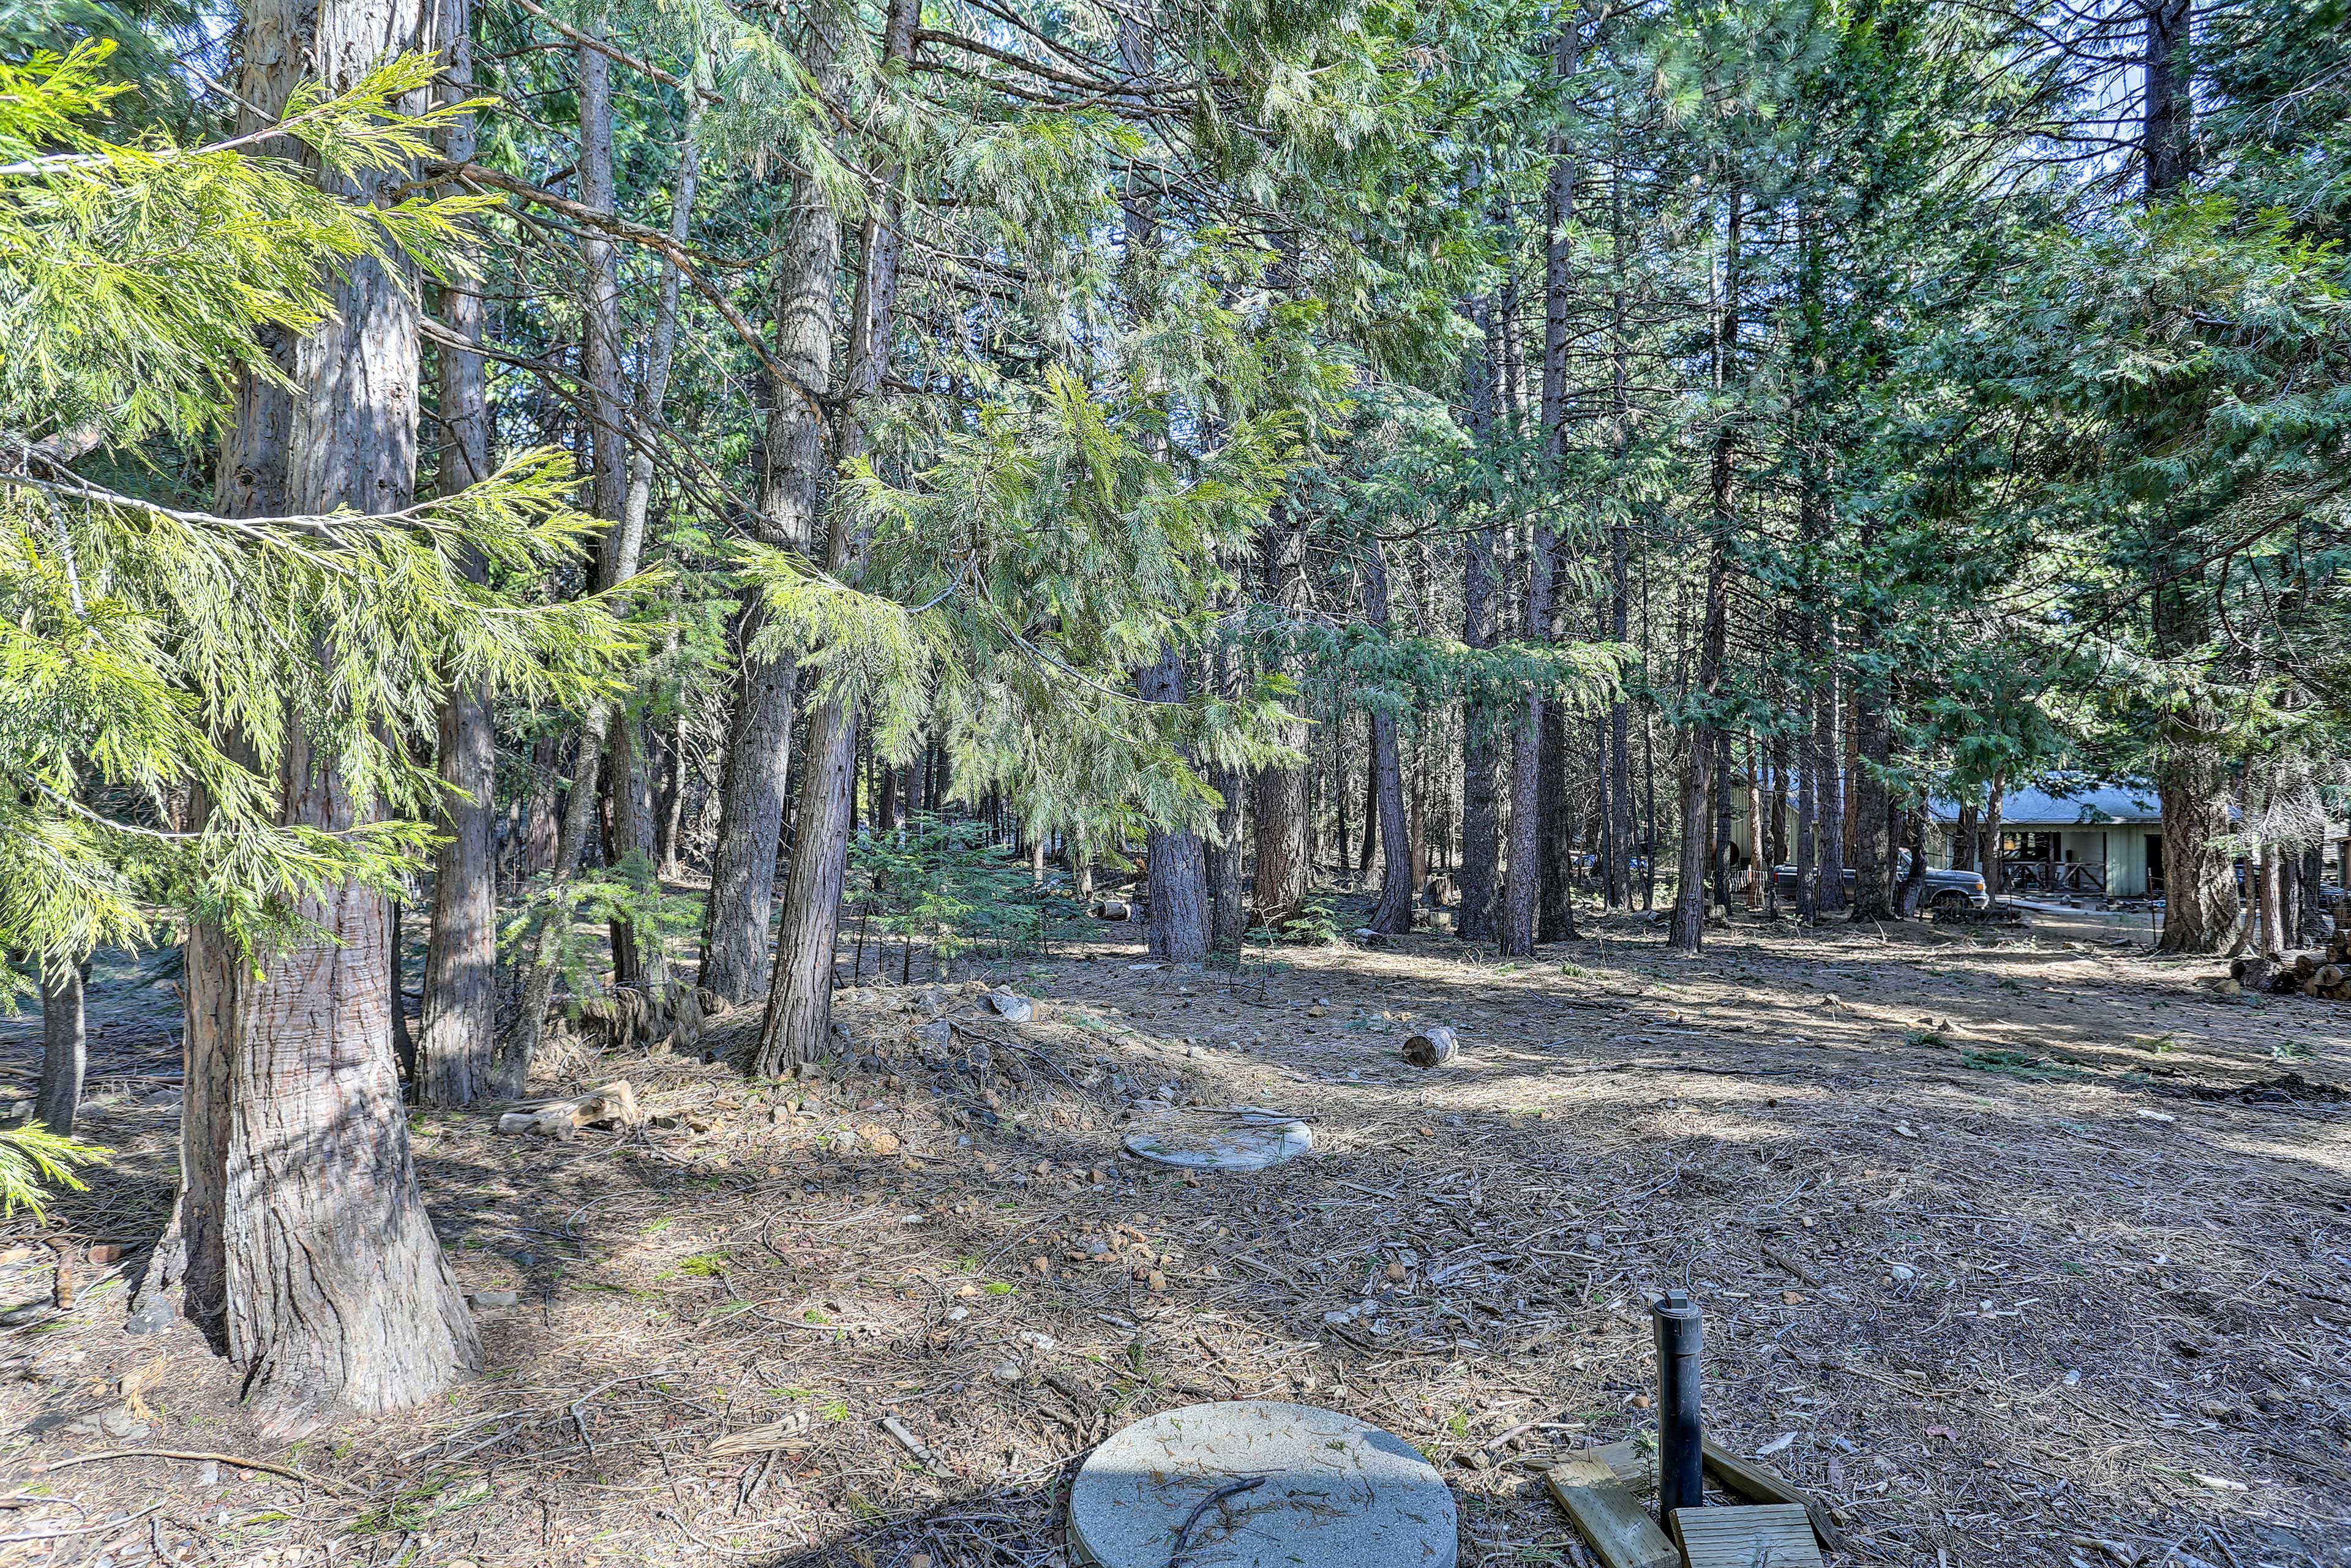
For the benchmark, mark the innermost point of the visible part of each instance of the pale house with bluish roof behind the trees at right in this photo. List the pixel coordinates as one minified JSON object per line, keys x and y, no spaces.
{"x":2091,"y":840}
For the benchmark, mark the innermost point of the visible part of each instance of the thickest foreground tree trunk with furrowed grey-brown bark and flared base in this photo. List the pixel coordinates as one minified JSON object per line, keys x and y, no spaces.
{"x":309,"y":1249}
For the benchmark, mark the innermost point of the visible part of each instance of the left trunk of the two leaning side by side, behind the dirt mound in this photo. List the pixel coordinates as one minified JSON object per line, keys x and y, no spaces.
{"x":761,"y":728}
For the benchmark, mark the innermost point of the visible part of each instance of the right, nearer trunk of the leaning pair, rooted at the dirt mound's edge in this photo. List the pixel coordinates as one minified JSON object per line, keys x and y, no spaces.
{"x":801,"y":993}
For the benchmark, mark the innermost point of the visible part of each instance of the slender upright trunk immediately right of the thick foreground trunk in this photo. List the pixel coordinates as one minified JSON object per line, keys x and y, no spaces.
{"x":457,"y":1036}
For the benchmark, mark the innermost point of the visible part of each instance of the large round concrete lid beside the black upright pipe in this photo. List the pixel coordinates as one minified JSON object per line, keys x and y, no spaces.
{"x":1334,"y":1494}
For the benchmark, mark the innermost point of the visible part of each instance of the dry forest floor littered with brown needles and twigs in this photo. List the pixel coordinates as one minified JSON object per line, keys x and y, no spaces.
{"x":2021,"y":1249}
